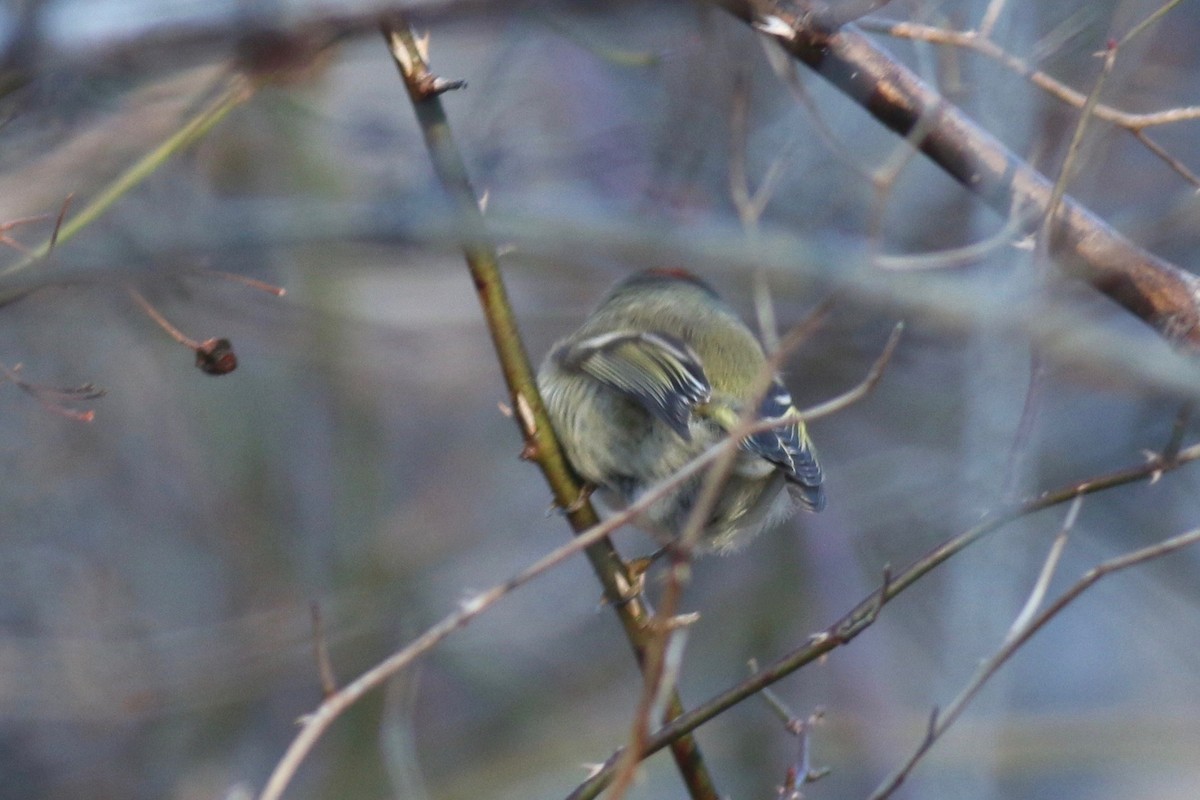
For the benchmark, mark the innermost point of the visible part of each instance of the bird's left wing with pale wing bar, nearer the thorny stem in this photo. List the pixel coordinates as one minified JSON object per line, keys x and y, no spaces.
{"x":656,"y":370}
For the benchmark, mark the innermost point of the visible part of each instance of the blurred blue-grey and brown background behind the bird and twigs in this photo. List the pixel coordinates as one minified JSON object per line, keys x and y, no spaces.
{"x":159,"y":564}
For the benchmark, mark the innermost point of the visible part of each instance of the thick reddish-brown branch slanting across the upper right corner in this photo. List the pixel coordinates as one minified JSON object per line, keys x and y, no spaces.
{"x":1156,"y":291}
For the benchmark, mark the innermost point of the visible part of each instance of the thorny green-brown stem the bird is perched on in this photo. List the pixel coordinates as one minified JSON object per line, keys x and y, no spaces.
{"x":541,"y":446}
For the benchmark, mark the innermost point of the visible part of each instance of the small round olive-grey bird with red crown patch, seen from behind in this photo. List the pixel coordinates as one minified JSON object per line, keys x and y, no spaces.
{"x":656,"y":376}
